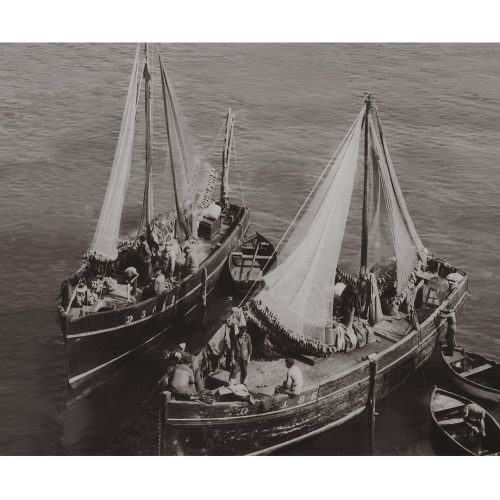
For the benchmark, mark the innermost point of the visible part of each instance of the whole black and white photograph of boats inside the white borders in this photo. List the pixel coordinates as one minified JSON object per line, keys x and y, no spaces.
{"x":249,"y":247}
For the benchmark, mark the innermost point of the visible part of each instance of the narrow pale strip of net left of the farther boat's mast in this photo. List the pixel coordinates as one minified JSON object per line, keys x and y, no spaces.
{"x":104,"y":244}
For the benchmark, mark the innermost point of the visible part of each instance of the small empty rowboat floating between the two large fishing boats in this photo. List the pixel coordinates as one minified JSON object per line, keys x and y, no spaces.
{"x":250,"y":261}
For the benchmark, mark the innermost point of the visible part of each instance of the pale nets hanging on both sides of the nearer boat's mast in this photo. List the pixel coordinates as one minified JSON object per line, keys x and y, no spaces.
{"x":297,"y":296}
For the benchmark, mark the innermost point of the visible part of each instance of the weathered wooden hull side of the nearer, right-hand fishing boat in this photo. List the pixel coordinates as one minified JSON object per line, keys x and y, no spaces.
{"x":227,"y":429}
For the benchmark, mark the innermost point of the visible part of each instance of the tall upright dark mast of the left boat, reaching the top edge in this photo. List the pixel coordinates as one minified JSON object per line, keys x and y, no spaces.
{"x":147,"y":203}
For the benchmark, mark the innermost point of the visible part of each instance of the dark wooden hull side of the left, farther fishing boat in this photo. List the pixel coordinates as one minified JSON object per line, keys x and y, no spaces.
{"x":95,"y":341}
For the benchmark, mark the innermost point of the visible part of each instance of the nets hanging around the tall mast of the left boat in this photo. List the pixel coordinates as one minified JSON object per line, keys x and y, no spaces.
{"x":193,"y":180}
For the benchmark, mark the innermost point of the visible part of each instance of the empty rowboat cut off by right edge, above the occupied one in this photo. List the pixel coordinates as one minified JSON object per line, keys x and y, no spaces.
{"x":474,"y":374}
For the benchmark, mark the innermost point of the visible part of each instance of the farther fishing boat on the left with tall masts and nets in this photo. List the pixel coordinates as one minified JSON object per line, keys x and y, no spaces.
{"x":101,"y":320}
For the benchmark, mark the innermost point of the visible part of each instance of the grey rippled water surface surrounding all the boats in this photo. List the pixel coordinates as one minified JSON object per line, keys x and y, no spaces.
{"x":60,"y":108}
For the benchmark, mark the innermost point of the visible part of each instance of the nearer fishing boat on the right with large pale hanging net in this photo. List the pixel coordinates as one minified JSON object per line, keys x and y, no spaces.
{"x":294,"y":315}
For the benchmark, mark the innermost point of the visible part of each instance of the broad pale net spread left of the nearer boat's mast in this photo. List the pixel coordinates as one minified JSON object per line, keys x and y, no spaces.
{"x":300,"y":290}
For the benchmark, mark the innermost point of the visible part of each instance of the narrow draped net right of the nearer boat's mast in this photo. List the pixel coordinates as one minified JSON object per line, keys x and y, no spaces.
{"x":407,"y":245}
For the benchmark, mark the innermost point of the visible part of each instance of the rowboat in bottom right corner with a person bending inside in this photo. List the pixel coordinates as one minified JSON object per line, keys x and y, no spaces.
{"x":447,"y":413}
